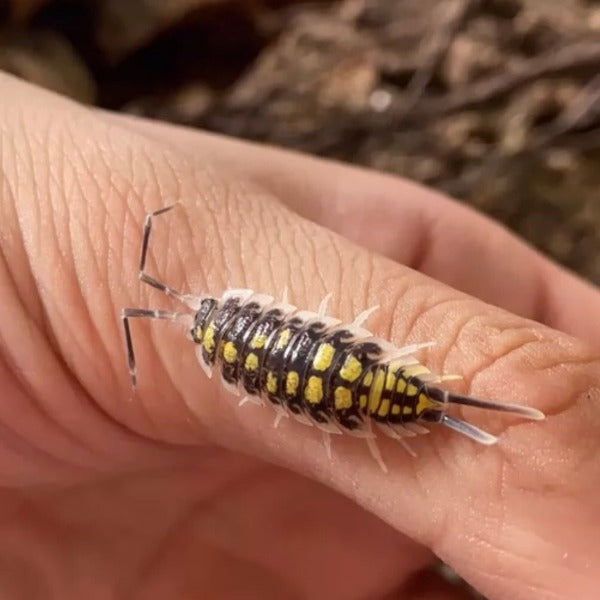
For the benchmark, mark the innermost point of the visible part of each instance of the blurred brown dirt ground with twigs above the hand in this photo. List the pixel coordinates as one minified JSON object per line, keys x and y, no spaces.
{"x":496,"y":102}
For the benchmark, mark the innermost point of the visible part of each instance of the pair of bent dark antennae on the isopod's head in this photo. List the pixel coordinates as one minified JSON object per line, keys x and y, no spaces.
{"x":130,"y":313}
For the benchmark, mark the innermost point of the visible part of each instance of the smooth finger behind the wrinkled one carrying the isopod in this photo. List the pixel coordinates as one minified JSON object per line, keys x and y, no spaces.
{"x":407,"y":223}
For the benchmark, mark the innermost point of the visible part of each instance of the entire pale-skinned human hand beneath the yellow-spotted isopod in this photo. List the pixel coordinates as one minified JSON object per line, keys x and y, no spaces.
{"x":175,"y":491}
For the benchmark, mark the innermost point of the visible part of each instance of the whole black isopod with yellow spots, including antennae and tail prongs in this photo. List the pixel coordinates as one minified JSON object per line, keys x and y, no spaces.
{"x":314,"y":368}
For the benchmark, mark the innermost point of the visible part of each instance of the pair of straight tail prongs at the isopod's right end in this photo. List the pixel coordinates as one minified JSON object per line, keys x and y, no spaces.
{"x":446,"y":398}
